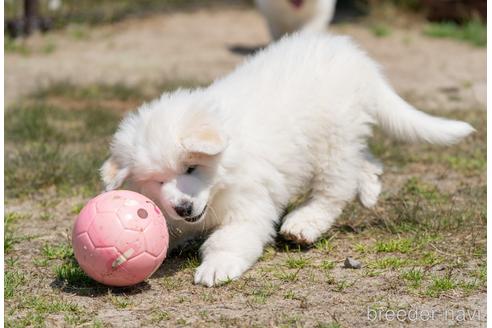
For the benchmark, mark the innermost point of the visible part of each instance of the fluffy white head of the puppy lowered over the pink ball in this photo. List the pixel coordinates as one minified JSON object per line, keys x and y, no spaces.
{"x":169,"y":150}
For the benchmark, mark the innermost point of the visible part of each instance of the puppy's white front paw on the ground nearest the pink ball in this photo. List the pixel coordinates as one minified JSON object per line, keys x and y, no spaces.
{"x":220,"y":267}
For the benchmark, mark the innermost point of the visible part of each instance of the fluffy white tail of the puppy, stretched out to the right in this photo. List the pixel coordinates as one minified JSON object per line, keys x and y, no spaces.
{"x":404,"y":122}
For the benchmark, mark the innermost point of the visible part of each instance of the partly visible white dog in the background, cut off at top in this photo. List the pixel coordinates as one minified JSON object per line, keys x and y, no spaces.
{"x":287,"y":16}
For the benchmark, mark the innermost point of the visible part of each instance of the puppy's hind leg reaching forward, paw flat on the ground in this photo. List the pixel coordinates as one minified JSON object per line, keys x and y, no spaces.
{"x":335,"y":184}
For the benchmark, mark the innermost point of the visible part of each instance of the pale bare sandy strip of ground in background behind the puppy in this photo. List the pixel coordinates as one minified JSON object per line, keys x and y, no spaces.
{"x":434,"y":74}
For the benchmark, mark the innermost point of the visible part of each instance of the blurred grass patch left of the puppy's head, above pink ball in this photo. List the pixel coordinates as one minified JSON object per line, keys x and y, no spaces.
{"x":59,"y":137}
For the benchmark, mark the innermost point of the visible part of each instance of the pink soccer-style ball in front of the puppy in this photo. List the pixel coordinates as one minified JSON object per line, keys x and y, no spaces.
{"x":120,"y":238}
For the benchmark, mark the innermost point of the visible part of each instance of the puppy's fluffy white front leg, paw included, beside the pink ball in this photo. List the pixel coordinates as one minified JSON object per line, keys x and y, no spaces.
{"x":235,"y":246}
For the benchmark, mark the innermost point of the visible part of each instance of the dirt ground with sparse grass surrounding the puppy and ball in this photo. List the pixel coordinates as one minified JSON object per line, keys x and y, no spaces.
{"x":422,"y":248}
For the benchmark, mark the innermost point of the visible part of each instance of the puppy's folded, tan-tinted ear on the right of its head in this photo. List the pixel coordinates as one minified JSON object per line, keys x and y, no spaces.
{"x":204,"y":139}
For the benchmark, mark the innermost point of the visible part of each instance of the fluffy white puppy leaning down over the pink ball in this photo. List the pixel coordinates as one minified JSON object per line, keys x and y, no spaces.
{"x":227,"y":159}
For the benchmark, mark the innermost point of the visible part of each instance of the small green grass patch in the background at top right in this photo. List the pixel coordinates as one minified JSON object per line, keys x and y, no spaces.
{"x":473,"y":32}
